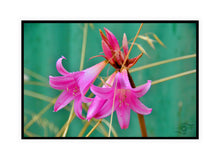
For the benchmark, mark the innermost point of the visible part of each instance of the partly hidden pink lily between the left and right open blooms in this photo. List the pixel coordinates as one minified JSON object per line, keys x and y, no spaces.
{"x":96,"y":107}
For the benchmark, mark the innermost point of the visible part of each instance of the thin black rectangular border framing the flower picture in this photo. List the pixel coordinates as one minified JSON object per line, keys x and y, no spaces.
{"x":111,"y":21}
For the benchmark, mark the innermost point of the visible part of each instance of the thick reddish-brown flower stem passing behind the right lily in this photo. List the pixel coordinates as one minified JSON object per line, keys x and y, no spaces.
{"x":140,"y":117}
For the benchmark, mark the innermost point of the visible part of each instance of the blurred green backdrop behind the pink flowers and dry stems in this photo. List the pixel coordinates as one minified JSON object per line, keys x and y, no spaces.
{"x":173,"y":102}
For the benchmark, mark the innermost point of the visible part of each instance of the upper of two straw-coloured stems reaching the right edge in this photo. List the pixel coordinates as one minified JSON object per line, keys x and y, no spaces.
{"x":162,"y":62}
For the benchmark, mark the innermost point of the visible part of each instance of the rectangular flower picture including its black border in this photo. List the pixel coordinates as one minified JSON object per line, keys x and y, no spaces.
{"x":110,"y":79}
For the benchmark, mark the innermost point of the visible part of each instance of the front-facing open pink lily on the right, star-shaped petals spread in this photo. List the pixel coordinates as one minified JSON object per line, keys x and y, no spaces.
{"x":123,"y":98}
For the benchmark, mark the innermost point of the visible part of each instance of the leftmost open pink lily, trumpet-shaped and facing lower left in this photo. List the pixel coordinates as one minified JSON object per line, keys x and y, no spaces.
{"x":75,"y":85}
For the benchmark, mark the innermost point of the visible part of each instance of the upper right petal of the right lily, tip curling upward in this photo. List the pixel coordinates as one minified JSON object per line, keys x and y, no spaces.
{"x":142,"y":90}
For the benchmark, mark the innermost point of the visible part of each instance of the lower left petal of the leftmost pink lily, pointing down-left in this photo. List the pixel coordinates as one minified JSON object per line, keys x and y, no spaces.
{"x":65,"y":98}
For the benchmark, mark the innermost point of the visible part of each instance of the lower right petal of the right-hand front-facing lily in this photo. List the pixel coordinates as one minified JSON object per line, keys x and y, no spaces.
{"x":139,"y":107}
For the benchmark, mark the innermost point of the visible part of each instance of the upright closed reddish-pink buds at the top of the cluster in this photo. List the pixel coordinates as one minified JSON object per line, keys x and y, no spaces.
{"x":112,"y":50}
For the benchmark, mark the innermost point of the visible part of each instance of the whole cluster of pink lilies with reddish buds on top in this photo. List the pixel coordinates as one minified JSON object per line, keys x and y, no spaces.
{"x":116,"y":94}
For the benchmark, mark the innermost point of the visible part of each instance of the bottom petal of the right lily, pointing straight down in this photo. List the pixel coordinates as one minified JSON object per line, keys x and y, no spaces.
{"x":123,"y":114}
